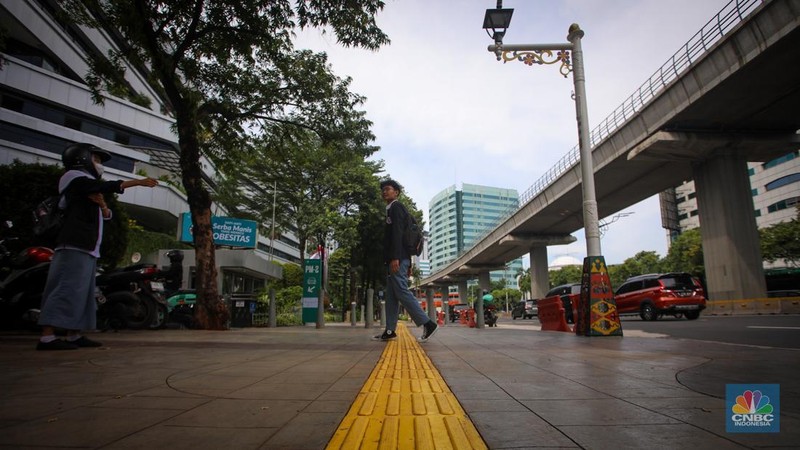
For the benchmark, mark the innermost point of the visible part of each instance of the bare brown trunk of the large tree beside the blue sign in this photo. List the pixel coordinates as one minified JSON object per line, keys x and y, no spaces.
{"x":212,"y":313}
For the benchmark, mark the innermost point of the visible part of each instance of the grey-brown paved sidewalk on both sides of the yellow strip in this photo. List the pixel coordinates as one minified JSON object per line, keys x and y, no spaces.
{"x":290,"y":387}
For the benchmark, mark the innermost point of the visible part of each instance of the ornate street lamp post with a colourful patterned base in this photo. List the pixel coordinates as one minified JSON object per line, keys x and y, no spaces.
{"x":598,"y":313}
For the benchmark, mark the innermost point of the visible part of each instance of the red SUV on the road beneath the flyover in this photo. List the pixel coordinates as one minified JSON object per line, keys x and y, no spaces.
{"x":656,"y":294}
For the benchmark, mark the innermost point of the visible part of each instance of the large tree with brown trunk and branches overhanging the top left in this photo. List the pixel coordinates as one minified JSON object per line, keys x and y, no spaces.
{"x":226,"y":70}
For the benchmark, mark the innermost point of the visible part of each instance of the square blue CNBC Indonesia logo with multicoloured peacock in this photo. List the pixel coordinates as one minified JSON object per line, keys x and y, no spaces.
{"x":753,"y":408}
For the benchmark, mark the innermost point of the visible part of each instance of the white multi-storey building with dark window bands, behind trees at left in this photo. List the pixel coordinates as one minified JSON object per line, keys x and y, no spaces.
{"x":45,"y":104}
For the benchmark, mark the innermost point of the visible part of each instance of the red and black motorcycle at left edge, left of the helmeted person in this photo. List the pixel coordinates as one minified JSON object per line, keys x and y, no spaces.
{"x":22,"y":279}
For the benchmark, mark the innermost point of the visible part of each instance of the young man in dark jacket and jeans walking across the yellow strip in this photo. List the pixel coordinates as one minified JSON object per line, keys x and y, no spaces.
{"x":398,"y":261}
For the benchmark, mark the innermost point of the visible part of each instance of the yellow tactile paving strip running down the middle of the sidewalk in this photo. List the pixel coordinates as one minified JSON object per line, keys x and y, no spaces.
{"x":405,"y":404}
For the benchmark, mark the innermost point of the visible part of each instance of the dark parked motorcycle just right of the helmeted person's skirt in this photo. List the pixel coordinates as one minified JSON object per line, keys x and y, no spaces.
{"x":131,"y":298}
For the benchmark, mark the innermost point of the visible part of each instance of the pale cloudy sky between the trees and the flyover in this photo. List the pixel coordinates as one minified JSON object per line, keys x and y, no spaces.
{"x":446,"y":112}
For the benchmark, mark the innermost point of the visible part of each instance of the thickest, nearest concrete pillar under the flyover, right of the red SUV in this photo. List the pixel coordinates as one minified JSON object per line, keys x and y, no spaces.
{"x":731,"y":244}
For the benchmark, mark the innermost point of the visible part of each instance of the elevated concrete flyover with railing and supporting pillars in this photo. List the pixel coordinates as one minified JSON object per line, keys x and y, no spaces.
{"x":705,"y":113}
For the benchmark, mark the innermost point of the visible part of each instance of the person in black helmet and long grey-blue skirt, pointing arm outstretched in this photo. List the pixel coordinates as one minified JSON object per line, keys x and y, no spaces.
{"x":68,"y":301}
